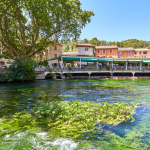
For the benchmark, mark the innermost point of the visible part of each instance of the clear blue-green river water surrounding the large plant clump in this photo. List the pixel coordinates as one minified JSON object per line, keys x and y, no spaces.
{"x":17,"y":97}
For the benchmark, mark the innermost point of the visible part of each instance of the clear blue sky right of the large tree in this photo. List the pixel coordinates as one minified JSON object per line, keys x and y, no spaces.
{"x":117,"y":20}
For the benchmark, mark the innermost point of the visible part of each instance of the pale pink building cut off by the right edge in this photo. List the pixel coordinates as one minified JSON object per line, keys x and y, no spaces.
{"x":142,"y":53}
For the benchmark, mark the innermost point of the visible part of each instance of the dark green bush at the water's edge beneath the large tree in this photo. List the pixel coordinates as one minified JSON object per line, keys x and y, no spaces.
{"x":20,"y":71}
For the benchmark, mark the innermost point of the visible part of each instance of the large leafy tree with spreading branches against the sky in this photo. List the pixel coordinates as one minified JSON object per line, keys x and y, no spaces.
{"x":28,"y":26}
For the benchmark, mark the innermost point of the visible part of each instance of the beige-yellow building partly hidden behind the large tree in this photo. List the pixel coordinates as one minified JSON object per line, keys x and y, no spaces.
{"x":53,"y":51}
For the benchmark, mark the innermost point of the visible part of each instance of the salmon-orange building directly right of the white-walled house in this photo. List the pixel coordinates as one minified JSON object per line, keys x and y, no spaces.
{"x":106,"y":51}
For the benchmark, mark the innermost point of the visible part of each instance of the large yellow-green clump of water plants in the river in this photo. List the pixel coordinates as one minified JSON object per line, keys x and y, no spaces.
{"x":70,"y":118}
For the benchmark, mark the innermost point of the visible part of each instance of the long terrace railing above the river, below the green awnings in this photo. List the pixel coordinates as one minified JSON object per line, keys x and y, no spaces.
{"x":104,"y":68}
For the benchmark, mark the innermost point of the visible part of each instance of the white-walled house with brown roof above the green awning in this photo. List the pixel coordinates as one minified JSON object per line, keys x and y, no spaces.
{"x":85,"y":49}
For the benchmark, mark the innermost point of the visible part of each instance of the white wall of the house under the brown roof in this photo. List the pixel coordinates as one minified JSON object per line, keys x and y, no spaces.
{"x":81,"y":51}
